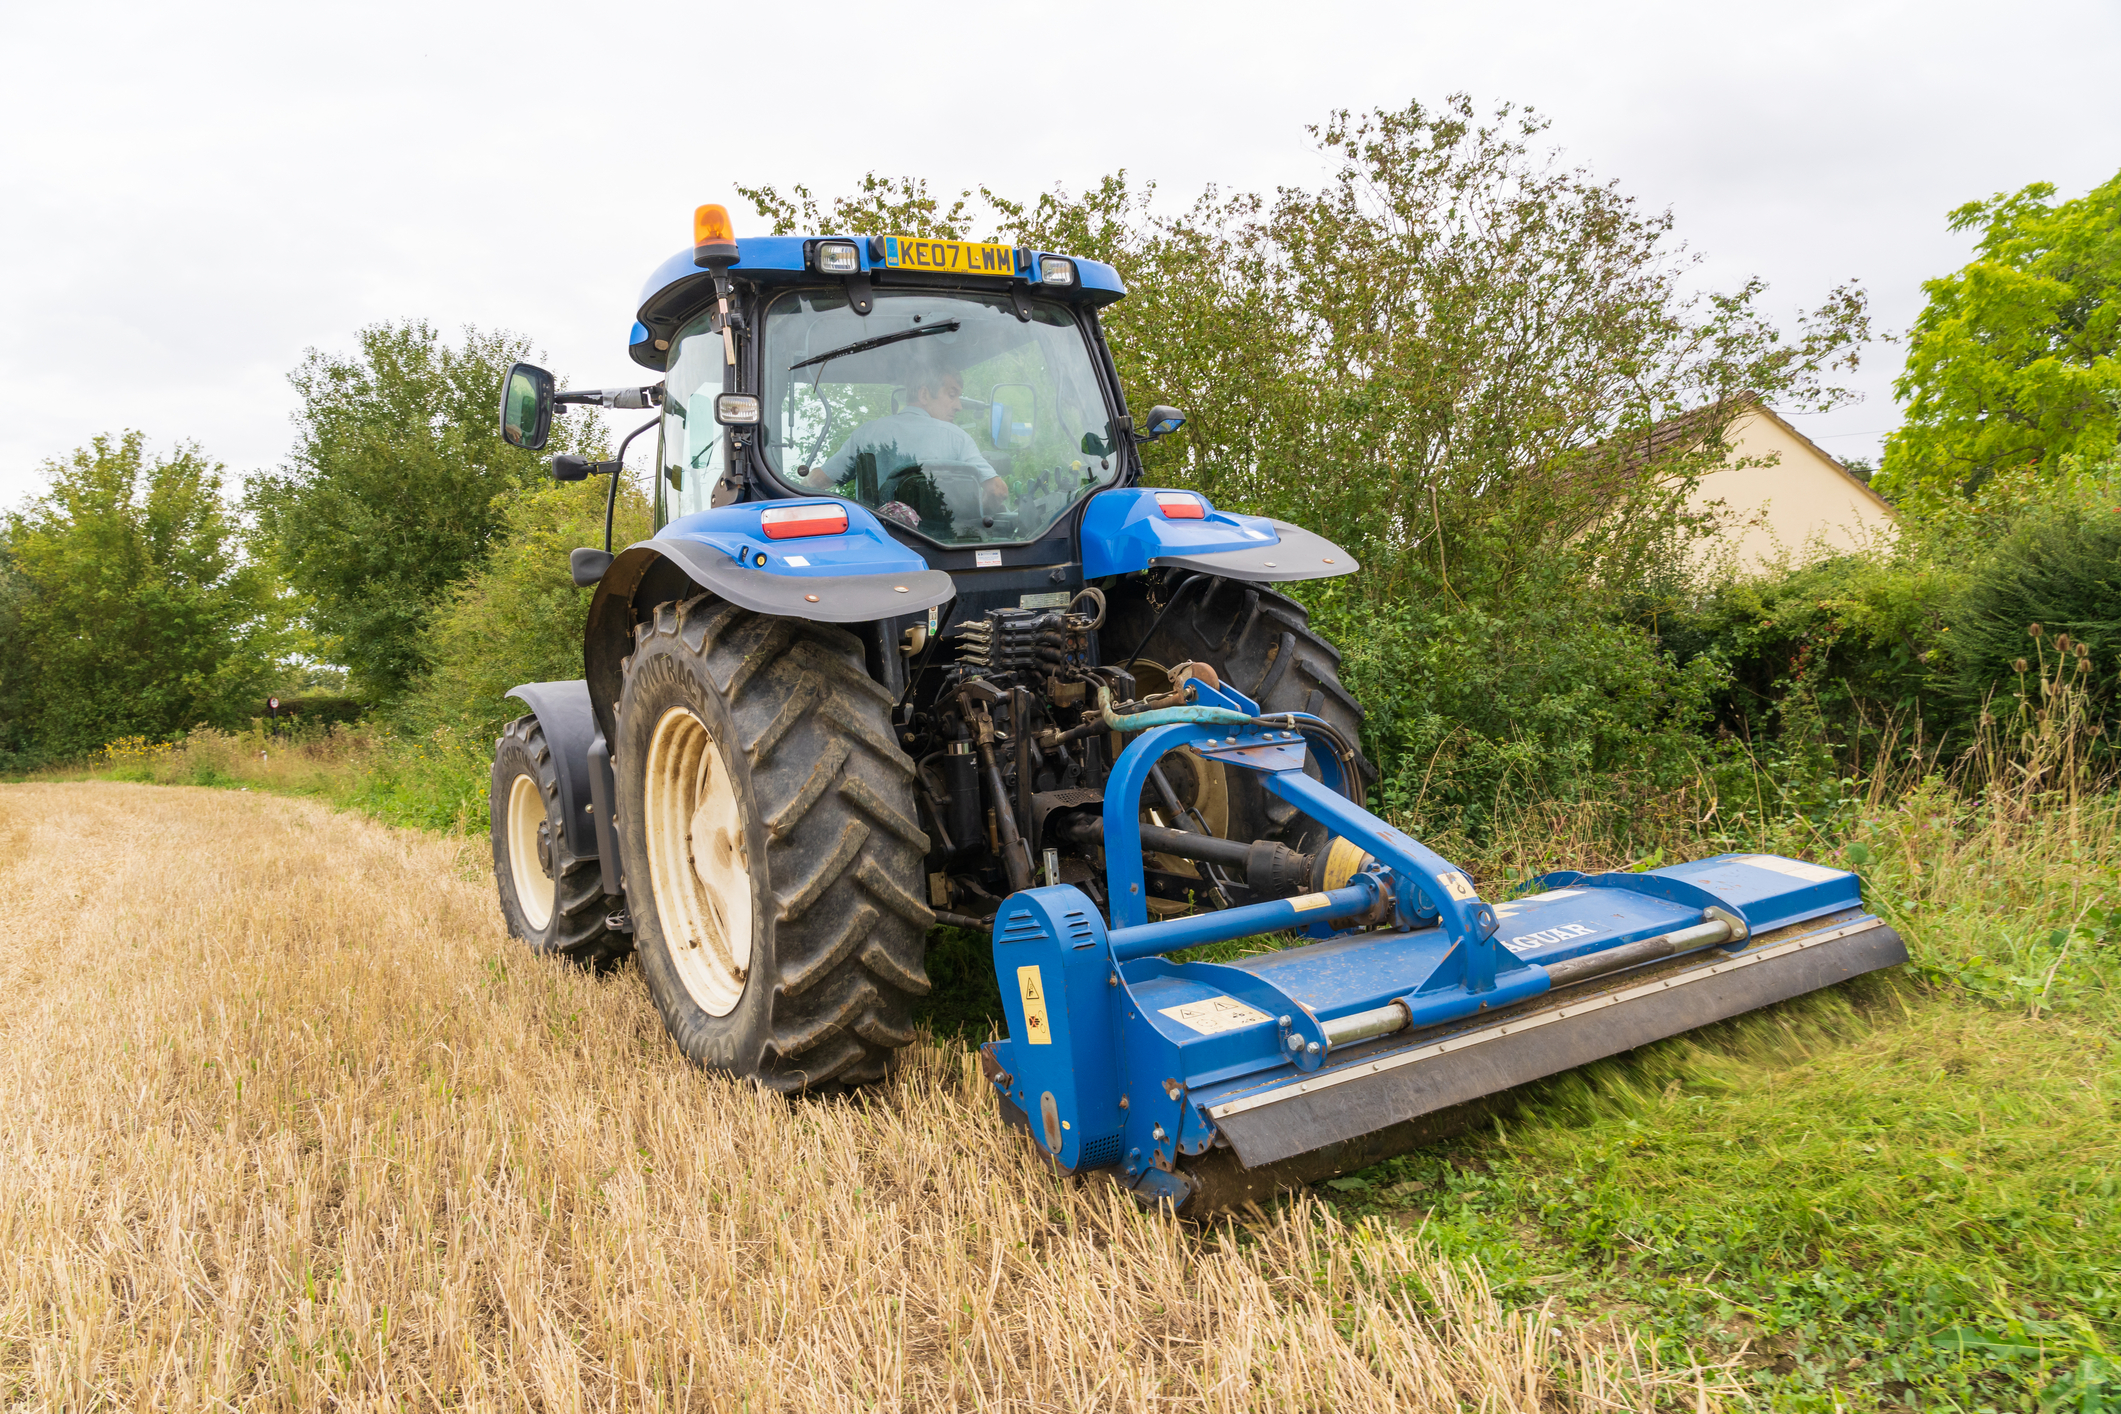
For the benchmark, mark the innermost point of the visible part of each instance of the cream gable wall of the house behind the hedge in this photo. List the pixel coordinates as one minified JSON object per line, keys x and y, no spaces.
{"x":1787,"y":506}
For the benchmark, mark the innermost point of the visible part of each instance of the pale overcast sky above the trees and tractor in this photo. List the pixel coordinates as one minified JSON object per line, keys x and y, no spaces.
{"x":198,"y":194}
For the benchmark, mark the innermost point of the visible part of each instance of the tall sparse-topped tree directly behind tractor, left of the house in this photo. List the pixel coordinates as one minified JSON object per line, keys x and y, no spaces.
{"x":1460,"y":359}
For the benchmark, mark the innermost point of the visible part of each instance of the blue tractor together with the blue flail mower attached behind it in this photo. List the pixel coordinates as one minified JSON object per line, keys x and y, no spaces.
{"x":913,"y":646}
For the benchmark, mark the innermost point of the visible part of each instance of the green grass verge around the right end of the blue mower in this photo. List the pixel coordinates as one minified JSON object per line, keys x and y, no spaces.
{"x":1846,"y":1188}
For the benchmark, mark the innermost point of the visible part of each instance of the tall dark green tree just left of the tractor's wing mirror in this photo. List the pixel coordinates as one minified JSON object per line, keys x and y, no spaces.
{"x":393,"y":491}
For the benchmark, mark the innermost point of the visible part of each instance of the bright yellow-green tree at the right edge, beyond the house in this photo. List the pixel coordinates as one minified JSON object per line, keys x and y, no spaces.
{"x":2012,"y":366}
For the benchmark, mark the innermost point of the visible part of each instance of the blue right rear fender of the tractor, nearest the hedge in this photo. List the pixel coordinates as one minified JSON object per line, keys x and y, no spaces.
{"x":1149,"y":529}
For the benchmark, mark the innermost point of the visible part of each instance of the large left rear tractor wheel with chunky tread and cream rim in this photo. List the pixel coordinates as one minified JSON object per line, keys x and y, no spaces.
{"x":771,"y":847}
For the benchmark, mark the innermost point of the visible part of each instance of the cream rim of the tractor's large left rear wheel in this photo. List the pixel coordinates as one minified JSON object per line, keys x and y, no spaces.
{"x":699,"y":868}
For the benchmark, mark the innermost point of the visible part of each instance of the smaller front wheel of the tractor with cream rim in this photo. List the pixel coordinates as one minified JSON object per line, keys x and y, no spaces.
{"x":548,"y":898}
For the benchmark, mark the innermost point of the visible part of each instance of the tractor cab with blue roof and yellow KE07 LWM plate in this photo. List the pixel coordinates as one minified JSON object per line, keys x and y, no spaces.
{"x":958,"y":391}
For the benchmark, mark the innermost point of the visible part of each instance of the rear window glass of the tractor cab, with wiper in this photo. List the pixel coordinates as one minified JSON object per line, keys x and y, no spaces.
{"x":943,"y":412}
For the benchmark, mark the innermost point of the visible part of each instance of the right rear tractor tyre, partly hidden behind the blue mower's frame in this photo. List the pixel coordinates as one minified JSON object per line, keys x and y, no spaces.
{"x":1261,"y":643}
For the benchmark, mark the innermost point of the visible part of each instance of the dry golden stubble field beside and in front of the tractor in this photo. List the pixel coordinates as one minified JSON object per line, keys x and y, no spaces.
{"x":285,"y":1123}
